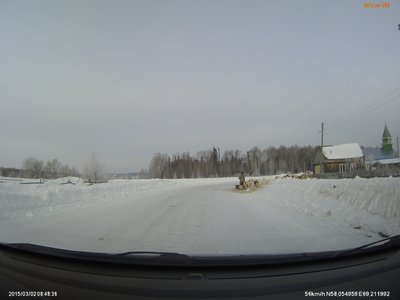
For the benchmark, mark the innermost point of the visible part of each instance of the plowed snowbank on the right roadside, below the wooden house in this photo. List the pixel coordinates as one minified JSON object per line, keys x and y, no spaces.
{"x":370,"y":204}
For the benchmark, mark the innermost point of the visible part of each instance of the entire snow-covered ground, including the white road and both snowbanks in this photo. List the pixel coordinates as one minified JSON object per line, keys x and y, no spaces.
{"x":200,"y":216}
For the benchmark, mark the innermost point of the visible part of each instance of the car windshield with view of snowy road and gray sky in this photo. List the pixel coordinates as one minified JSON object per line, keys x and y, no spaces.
{"x":199,"y":127}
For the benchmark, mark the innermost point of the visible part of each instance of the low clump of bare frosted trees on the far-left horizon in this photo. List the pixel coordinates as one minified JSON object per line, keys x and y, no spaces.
{"x":34,"y":168}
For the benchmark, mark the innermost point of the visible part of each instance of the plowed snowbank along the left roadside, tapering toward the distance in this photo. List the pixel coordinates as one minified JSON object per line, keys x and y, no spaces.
{"x":26,"y":200}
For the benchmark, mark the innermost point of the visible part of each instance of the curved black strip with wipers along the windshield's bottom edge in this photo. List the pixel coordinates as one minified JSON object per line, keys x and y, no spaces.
{"x":155,"y":258}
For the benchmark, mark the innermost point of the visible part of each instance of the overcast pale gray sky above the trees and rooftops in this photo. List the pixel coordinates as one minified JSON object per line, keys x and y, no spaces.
{"x":130,"y":78}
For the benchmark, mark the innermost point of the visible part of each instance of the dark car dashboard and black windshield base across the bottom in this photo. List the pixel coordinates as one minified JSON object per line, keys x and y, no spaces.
{"x":36,"y":272}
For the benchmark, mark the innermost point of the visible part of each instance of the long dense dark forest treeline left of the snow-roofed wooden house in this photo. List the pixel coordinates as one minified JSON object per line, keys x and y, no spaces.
{"x":212,"y":163}
